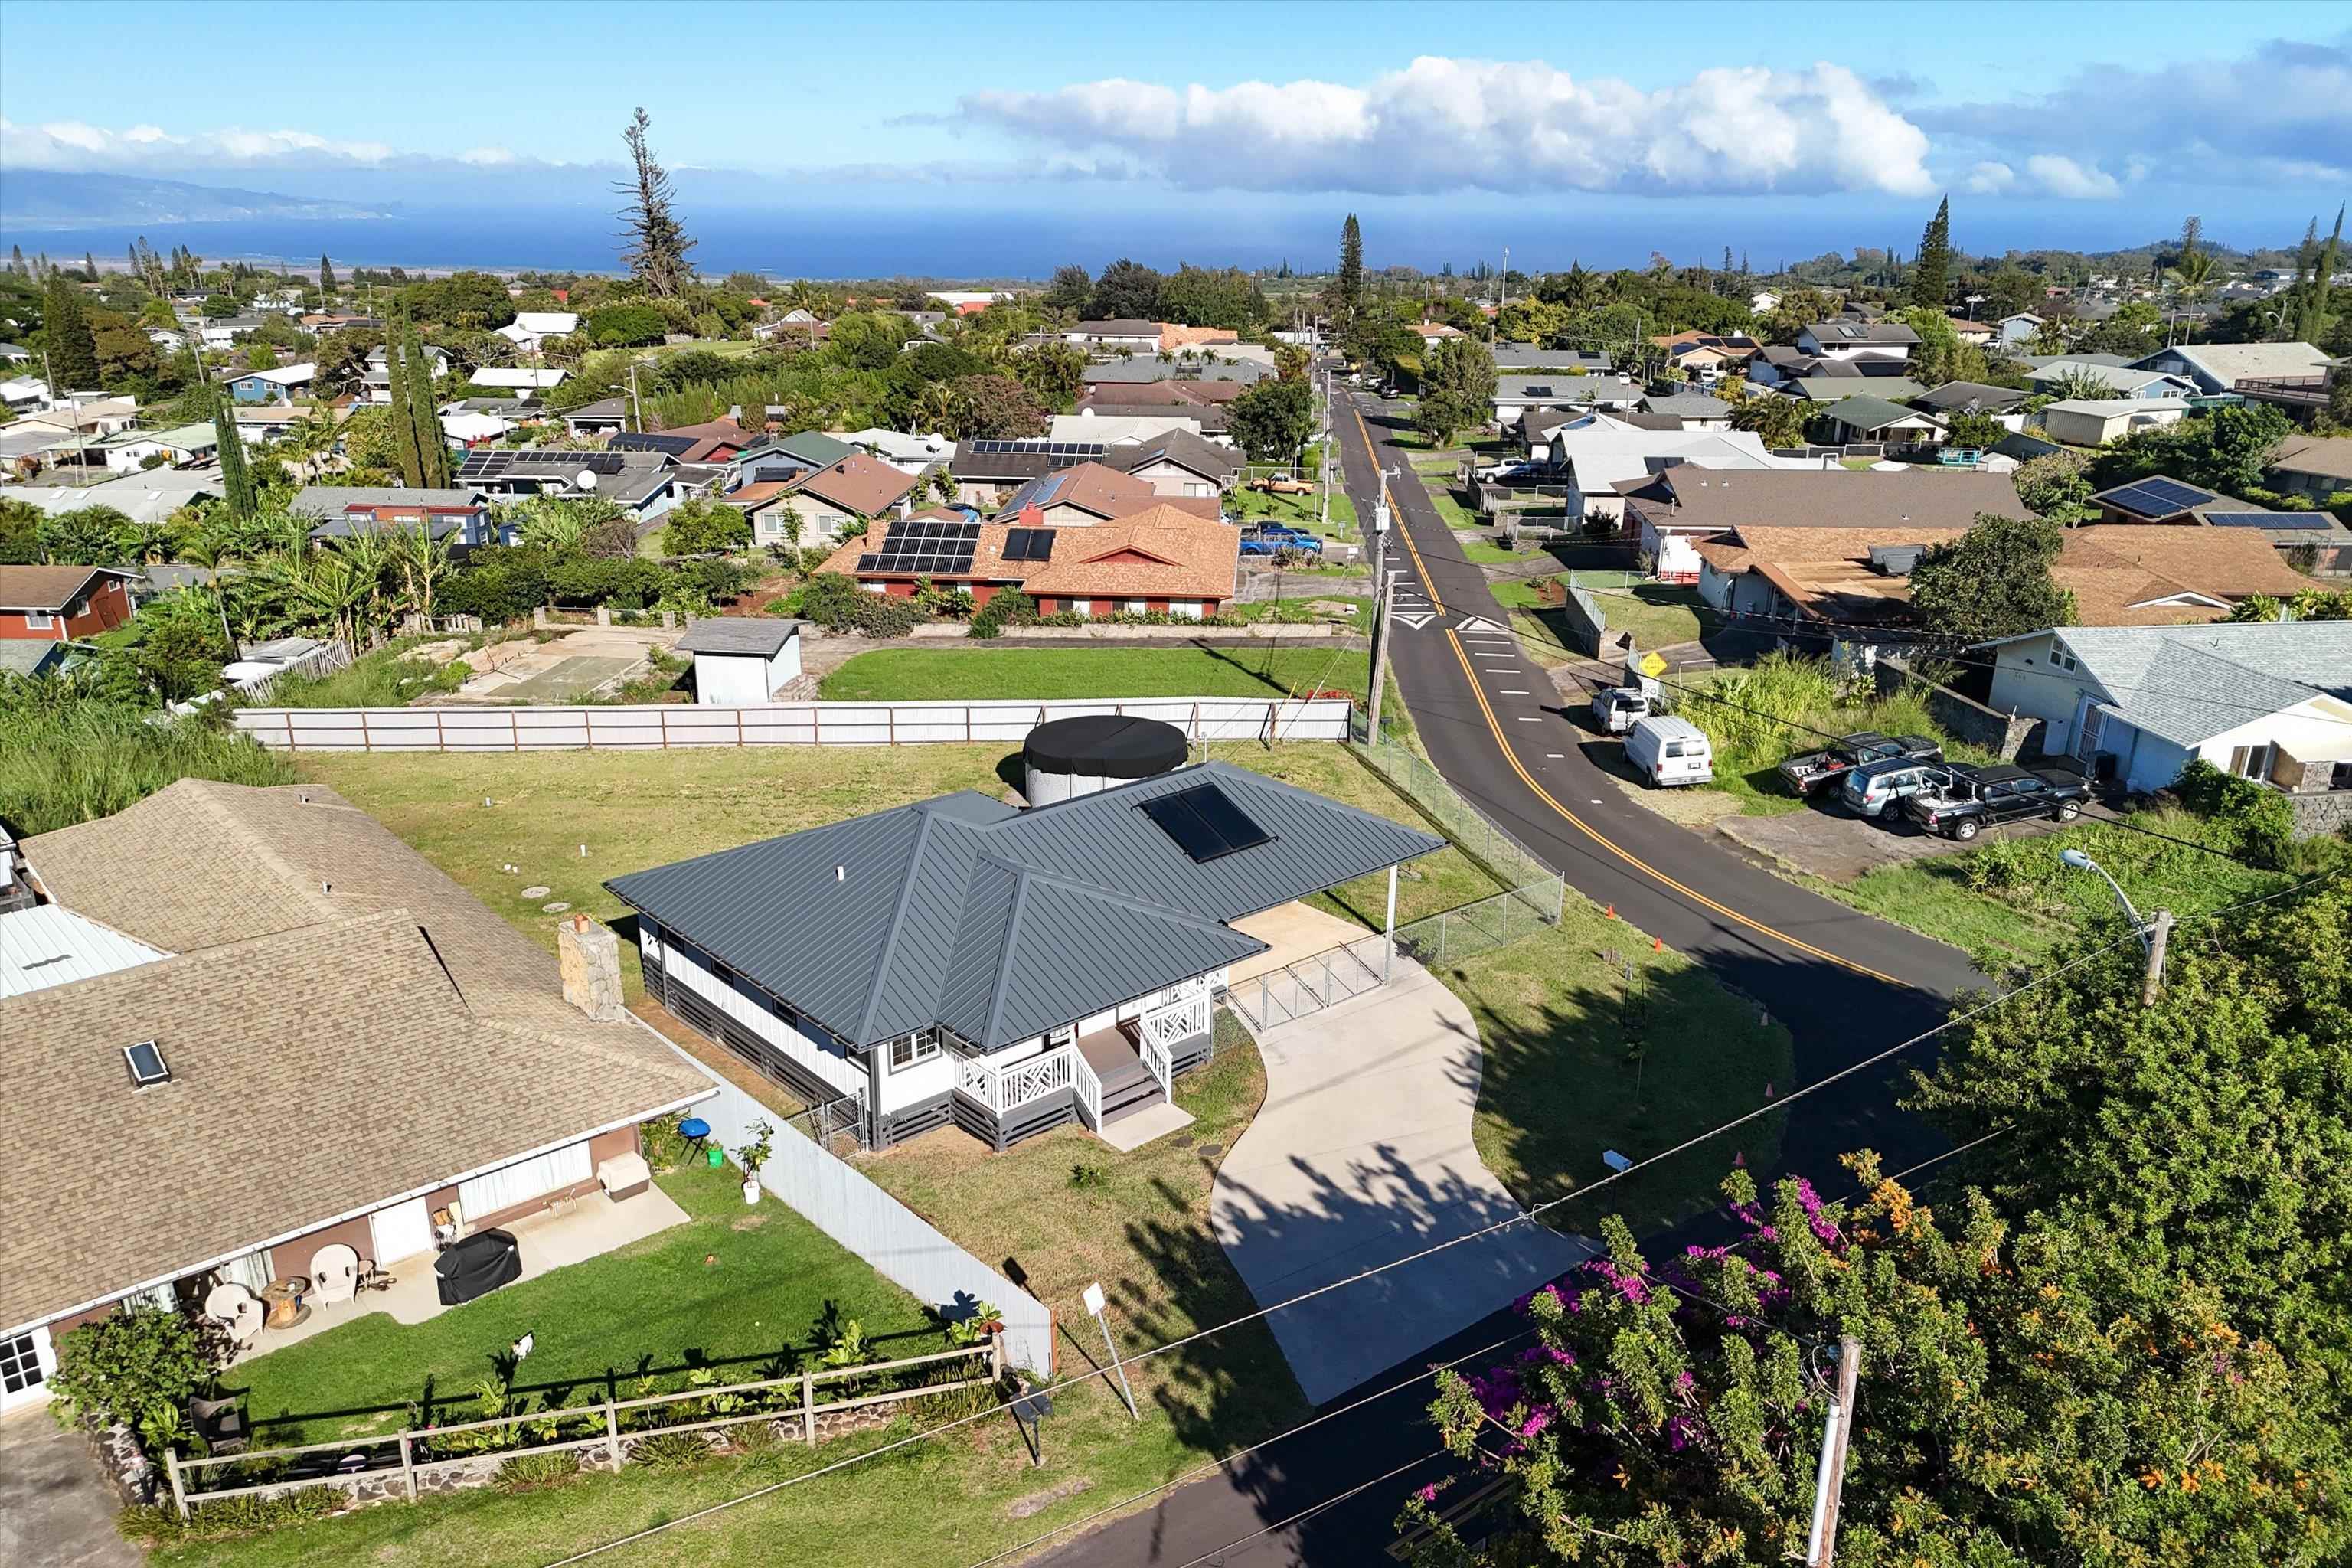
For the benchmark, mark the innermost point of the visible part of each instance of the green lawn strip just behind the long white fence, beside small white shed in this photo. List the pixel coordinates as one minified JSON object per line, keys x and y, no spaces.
{"x":956,"y":676}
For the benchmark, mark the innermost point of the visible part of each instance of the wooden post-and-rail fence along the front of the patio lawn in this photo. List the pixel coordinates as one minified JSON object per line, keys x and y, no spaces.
{"x":608,"y":1416}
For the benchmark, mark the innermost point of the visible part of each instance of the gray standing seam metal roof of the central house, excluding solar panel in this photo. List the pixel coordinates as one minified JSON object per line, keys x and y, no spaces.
{"x":998,"y":923}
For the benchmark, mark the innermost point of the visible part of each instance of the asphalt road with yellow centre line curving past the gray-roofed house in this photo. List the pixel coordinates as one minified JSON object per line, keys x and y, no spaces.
{"x":1843,"y":981}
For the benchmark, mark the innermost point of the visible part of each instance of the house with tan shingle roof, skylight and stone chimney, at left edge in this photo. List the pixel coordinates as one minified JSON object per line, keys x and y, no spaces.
{"x":302,"y":1036}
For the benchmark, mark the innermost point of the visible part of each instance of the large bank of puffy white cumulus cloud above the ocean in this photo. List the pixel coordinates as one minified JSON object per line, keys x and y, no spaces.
{"x":1499,"y":126}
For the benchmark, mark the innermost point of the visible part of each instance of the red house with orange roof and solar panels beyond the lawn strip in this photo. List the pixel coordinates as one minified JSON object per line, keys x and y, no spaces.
{"x":1156,"y":561}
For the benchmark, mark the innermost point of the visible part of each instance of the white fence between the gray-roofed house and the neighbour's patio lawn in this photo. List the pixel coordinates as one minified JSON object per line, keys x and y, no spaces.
{"x":878,"y":1228}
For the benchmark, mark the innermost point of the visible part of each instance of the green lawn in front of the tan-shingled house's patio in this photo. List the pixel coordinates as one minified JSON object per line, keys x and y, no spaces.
{"x":735,"y":1289}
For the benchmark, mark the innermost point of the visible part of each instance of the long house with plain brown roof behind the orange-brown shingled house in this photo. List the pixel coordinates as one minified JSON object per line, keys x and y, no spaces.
{"x":1683,"y":507}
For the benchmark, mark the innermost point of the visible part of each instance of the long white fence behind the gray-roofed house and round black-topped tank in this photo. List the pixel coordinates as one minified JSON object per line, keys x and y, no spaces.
{"x":676,"y":725}
